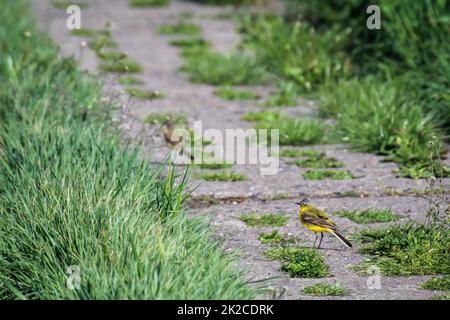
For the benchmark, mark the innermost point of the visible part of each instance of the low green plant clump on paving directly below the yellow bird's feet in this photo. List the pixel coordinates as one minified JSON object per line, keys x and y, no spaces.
{"x":299,"y":262}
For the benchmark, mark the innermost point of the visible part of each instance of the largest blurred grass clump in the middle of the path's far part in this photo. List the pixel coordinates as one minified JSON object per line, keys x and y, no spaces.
{"x":223,"y":69}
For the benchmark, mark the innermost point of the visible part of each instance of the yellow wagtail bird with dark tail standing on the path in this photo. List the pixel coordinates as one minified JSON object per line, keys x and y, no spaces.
{"x":317,"y":221}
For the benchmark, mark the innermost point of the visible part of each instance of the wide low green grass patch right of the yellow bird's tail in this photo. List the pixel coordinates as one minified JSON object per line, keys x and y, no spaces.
{"x":412,"y":249}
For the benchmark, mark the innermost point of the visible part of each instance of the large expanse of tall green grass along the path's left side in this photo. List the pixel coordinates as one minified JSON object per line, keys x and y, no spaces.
{"x":72,"y":195}
